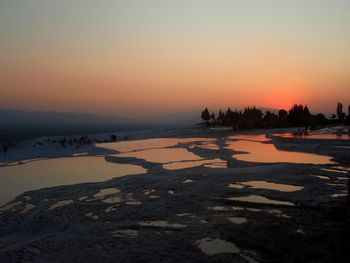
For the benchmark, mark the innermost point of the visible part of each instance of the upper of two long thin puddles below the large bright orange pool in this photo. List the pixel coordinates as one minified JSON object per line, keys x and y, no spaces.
{"x":267,"y":185}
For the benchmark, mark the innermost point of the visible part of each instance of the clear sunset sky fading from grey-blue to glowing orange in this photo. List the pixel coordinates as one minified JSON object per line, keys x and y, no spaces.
{"x":133,"y":57}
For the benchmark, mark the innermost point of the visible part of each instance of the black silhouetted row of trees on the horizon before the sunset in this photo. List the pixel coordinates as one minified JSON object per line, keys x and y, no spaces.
{"x":253,"y":118}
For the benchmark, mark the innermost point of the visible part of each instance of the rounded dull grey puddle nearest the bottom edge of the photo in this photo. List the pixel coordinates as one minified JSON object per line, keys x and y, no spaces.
{"x":216,"y":246}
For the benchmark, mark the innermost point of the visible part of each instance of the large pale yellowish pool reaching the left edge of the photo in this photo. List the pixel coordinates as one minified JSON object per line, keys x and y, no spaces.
{"x":17,"y":179}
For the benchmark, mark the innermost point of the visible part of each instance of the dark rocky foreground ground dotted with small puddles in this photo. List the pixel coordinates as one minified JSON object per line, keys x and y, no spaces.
{"x":190,"y":215}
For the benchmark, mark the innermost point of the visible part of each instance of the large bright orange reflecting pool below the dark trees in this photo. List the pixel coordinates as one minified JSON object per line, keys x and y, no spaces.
{"x":268,"y":153}
